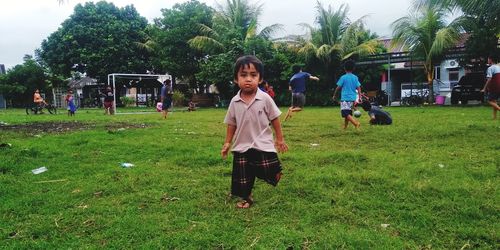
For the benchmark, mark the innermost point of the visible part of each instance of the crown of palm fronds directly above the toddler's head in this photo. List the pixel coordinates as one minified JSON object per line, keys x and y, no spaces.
{"x":234,"y":25}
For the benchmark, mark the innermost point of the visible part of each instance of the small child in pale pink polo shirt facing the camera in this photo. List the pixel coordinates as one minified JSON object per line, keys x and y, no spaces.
{"x":248,"y":117}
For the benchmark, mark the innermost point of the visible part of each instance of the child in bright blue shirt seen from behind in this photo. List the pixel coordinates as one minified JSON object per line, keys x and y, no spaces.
{"x":348,"y":84}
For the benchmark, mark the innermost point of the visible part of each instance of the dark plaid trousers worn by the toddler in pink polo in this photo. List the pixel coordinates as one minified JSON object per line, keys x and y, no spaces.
{"x":250,"y":164}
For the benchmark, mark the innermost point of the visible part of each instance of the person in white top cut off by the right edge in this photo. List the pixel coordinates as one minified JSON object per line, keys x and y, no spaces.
{"x":492,"y":85}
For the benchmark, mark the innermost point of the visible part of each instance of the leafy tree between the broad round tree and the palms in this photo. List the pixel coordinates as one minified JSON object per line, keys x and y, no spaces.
{"x":170,"y":34}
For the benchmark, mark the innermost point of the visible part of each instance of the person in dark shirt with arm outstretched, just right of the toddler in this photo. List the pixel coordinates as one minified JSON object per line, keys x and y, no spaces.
{"x":297,"y":86}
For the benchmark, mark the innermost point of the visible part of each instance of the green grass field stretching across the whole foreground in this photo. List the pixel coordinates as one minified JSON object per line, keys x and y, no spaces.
{"x":430,"y":181}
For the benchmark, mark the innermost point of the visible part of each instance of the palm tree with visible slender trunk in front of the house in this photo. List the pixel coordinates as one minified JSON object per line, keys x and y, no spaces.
{"x":427,"y":36}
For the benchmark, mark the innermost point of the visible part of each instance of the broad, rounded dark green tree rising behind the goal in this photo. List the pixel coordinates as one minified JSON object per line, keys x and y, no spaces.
{"x":102,"y":36}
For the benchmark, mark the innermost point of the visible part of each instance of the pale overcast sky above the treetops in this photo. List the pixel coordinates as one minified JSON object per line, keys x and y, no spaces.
{"x":25,"y":23}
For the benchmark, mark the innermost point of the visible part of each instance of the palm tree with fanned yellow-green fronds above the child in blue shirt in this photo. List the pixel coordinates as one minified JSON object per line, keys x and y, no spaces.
{"x":337,"y":39}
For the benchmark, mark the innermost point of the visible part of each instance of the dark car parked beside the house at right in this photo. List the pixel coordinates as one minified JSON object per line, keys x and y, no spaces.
{"x":468,"y":88}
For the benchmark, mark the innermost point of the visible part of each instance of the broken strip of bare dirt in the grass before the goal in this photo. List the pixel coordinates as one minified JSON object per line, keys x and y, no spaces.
{"x":63,"y":127}
